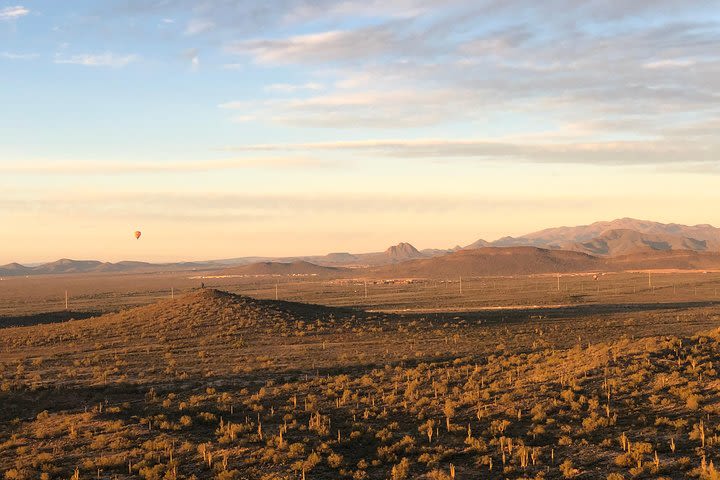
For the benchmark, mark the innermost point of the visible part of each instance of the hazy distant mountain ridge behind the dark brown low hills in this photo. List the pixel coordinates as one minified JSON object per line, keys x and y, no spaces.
{"x":622,"y":236}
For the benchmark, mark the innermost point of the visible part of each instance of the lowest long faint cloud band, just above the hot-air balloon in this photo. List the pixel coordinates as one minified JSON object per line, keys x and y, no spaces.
{"x":218,"y":207}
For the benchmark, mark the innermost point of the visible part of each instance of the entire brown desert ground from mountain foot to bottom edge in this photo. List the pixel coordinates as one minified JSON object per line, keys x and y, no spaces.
{"x":150,"y":376}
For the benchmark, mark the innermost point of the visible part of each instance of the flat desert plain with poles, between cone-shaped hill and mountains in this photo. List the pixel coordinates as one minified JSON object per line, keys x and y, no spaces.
{"x":97,"y":293}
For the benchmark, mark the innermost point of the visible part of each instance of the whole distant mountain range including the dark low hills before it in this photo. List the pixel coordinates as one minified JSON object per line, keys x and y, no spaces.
{"x":598,"y":246}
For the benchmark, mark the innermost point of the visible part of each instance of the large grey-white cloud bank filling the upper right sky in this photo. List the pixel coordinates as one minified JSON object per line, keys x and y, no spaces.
{"x":604,"y":82}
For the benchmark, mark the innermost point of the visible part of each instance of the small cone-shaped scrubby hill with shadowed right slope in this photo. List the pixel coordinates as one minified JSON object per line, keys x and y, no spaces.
{"x":190,"y":335}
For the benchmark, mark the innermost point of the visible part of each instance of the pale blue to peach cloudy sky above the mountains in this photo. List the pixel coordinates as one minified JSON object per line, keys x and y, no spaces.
{"x":225,"y":128}
